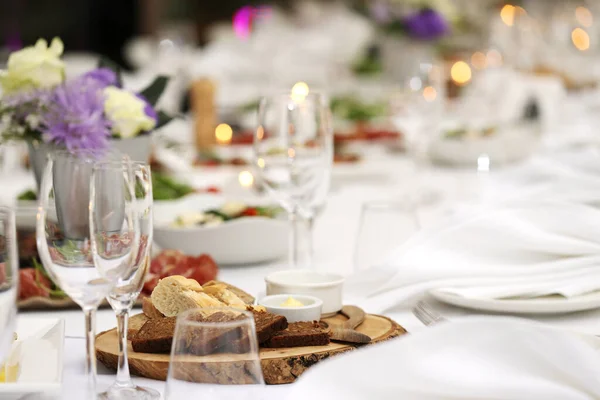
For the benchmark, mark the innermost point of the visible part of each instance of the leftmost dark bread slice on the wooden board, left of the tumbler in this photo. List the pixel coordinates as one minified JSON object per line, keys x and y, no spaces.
{"x":156,"y":336}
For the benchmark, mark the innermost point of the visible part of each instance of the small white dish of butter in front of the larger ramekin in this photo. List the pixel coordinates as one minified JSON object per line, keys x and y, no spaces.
{"x":310,"y":311}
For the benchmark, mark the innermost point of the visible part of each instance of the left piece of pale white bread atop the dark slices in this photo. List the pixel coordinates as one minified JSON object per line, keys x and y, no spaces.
{"x":176,"y":294}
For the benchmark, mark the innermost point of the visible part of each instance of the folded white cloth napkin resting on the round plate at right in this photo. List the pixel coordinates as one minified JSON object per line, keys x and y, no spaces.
{"x":523,"y":248}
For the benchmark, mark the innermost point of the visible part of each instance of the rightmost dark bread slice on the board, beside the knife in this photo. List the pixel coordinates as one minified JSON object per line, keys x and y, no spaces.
{"x":300,"y":334}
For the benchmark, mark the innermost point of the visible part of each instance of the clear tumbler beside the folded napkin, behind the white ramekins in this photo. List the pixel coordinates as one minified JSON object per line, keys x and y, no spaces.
{"x":384,"y":226}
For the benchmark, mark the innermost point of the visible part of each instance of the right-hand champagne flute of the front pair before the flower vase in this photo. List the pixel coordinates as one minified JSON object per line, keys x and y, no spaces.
{"x":137,"y":177}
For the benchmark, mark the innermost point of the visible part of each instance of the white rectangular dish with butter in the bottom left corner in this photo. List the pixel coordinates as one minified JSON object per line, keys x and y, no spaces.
{"x":41,"y":364}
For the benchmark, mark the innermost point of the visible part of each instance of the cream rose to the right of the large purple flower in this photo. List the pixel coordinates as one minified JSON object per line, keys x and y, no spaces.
{"x":126,"y":112}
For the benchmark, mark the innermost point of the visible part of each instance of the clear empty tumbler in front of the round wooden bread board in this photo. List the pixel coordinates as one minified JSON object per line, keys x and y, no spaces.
{"x":215,"y":357}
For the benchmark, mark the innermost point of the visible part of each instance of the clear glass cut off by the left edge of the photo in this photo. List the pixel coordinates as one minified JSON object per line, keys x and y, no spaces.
{"x":9,"y":280}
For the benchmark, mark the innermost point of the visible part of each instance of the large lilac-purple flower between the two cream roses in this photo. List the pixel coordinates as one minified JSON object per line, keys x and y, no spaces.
{"x":75,"y":116}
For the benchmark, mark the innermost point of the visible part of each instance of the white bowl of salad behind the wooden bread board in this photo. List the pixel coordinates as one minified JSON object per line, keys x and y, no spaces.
{"x":242,"y":241}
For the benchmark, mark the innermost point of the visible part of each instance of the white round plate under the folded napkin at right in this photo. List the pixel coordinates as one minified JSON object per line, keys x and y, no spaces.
{"x":541,"y":305}
